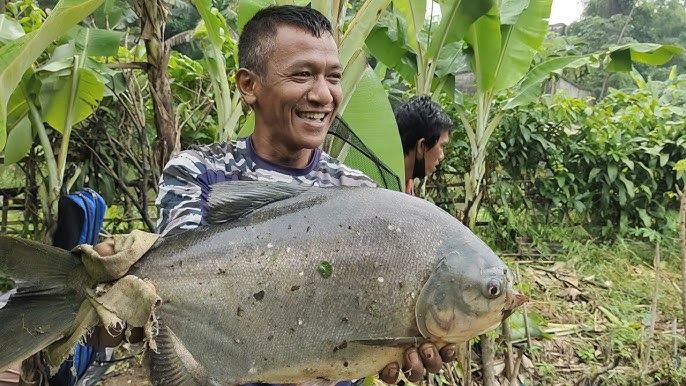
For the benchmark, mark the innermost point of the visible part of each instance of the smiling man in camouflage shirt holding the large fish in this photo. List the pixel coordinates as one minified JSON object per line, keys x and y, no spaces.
{"x":290,"y":76}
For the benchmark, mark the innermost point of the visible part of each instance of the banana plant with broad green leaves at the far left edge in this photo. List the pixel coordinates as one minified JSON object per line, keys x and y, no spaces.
{"x":67,"y":89}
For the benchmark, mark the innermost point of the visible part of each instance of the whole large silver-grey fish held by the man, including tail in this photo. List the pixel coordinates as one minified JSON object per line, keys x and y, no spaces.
{"x":286,"y":284}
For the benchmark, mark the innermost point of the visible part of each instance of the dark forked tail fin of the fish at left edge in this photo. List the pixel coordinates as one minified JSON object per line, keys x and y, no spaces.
{"x":47,"y":297}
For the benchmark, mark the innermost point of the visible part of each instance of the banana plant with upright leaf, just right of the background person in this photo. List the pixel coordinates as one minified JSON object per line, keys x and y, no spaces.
{"x":501,"y":47}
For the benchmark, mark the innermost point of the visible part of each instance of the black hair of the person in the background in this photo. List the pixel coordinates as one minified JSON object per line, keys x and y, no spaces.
{"x":421,"y":117}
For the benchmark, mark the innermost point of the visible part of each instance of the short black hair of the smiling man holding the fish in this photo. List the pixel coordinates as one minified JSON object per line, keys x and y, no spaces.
{"x":256,"y":42}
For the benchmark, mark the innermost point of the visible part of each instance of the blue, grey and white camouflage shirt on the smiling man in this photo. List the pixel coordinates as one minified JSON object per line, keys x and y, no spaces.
{"x":186,"y":179}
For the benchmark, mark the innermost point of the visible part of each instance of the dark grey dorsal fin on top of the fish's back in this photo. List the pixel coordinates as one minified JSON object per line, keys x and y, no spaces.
{"x":235,"y":199}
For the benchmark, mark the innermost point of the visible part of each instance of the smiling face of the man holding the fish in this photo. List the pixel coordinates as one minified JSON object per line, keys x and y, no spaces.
{"x":297,"y":98}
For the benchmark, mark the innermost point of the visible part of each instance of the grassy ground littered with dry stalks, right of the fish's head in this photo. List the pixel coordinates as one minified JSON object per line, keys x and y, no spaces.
{"x":595,"y":302}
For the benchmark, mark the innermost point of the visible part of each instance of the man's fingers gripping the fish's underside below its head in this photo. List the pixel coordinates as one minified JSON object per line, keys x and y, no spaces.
{"x":426,"y":357}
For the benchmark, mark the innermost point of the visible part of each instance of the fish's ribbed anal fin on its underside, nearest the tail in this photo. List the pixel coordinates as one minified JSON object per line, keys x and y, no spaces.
{"x":172,"y":364}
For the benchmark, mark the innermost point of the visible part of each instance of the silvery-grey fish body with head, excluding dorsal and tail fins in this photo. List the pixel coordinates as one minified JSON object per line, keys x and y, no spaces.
{"x":252,"y":300}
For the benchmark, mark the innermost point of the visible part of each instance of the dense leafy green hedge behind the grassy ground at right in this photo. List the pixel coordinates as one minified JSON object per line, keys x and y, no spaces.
{"x":609,"y":169}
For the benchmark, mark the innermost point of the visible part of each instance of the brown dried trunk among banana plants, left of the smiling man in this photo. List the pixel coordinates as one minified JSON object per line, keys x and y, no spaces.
{"x":153,"y":17}
